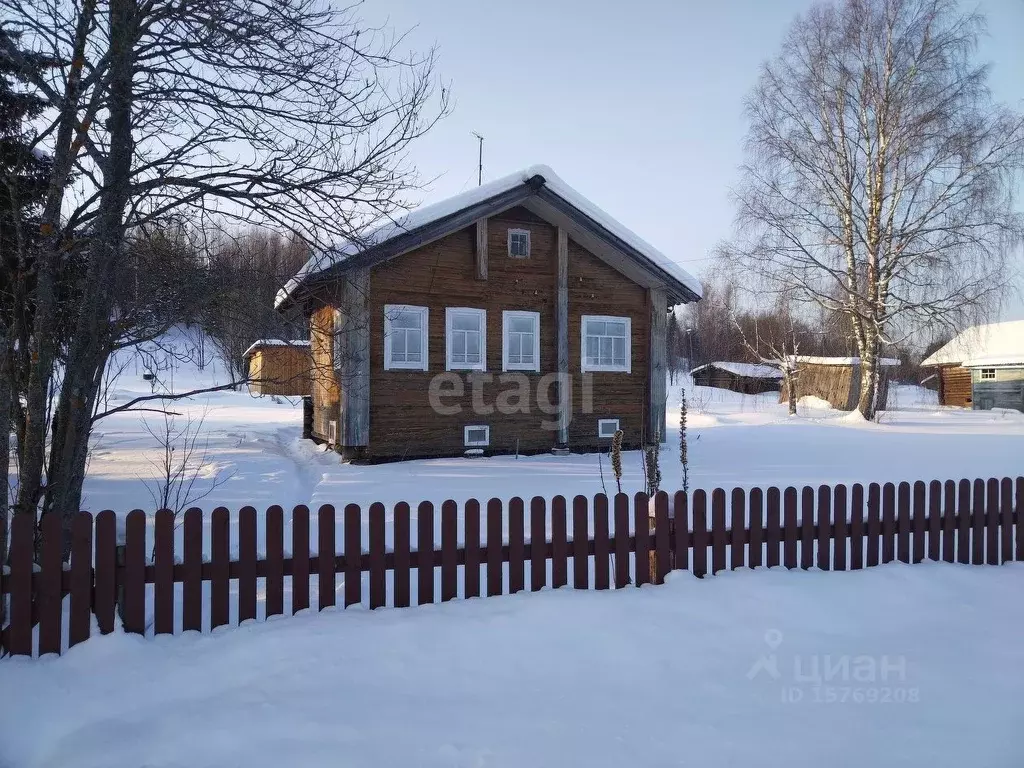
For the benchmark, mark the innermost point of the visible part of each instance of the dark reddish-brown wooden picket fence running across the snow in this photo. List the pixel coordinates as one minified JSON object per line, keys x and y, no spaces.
{"x":828,"y":528}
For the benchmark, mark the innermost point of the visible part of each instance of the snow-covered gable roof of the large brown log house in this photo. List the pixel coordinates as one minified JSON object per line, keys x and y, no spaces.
{"x":536,"y":187}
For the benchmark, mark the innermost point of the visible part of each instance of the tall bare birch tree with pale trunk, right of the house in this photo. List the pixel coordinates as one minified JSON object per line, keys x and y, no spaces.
{"x":880,"y":174}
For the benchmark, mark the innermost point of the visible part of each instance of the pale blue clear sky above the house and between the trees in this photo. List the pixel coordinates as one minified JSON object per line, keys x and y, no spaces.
{"x":638,"y":105}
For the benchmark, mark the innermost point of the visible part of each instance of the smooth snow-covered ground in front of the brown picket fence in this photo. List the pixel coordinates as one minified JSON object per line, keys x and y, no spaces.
{"x":901,"y":665}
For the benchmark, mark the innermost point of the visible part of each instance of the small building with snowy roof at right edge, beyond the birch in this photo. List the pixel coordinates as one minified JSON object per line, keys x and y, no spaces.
{"x":983,"y":367}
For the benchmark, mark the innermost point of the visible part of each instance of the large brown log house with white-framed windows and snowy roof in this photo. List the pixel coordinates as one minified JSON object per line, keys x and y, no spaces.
{"x":517,"y":317}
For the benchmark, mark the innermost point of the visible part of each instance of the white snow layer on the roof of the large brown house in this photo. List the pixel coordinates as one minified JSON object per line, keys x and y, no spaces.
{"x":426,"y":215}
